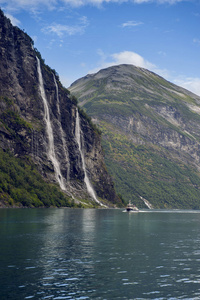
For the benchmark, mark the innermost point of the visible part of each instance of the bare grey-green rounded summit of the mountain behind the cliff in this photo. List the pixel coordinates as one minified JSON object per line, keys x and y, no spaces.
{"x":130,"y":77}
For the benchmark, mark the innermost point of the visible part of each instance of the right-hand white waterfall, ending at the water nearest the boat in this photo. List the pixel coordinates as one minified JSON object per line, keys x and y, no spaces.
{"x":86,"y":179}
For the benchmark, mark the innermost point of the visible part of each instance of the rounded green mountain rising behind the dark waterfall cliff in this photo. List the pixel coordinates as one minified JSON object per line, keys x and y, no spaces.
{"x":150,"y":133}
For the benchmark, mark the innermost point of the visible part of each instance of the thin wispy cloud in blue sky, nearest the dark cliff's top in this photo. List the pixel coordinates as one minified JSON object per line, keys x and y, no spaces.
{"x":61,"y":30}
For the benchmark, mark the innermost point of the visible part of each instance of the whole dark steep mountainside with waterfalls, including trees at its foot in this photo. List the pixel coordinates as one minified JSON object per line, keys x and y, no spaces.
{"x":50,"y":152}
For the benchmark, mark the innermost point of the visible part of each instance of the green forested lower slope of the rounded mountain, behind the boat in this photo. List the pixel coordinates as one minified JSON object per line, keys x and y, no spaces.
{"x":140,"y":170}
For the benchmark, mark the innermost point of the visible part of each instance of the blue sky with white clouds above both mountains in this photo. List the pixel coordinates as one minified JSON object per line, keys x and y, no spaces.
{"x":78,"y":37}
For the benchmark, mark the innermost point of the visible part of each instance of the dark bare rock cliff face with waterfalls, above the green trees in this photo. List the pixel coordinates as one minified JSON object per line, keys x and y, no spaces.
{"x":39,"y":119}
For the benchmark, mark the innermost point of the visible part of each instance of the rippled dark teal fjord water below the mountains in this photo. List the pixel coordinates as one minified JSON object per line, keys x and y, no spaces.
{"x":99,"y":254}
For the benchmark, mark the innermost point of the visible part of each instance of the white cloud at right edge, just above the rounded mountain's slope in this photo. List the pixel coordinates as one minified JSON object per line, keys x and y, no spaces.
{"x":190,"y":83}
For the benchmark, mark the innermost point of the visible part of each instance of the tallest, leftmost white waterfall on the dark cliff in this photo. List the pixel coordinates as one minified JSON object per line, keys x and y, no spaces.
{"x":51,"y":149}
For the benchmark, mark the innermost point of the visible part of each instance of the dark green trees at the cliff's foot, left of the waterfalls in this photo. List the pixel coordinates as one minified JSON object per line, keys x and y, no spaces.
{"x":22,"y":185}
